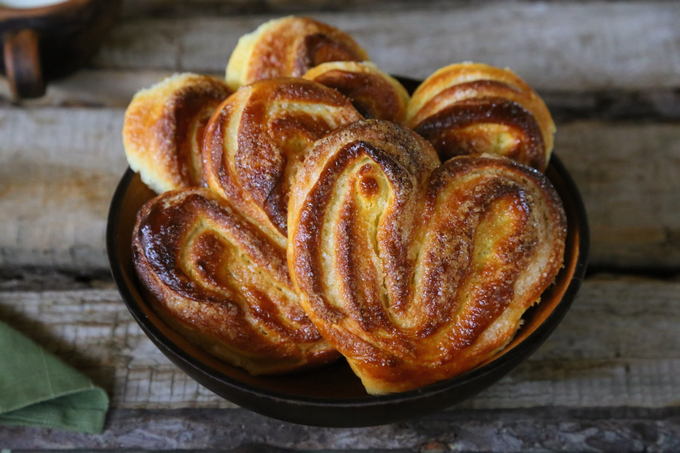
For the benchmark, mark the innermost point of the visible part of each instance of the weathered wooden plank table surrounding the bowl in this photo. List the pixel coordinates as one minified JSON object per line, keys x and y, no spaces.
{"x":608,"y":378}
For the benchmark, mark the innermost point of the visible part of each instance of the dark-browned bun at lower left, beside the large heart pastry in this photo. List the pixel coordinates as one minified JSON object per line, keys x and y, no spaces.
{"x":223,"y":284}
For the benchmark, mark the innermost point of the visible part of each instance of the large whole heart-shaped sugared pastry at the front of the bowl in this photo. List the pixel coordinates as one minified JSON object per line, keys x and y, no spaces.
{"x":414,"y":271}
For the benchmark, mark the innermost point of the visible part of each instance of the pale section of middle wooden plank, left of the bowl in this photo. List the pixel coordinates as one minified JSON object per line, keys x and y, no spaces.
{"x":58,"y":169}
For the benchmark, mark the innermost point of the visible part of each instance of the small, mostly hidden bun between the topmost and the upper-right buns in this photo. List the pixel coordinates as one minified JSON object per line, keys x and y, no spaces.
{"x":375,"y":94}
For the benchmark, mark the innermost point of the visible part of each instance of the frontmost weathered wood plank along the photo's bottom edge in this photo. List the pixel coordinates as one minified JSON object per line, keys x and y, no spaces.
{"x":237,"y":430}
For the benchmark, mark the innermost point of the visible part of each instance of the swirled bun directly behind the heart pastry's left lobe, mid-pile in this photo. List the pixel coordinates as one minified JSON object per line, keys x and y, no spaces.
{"x":257,"y":139}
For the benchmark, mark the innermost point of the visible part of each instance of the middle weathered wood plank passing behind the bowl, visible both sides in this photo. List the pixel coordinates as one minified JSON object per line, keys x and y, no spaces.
{"x":59,"y":167}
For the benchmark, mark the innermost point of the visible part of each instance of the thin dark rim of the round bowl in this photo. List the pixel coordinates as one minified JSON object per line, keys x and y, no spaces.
{"x":505,"y":361}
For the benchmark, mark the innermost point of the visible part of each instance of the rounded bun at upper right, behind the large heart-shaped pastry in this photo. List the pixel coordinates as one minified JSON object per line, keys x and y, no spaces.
{"x":472,"y":108}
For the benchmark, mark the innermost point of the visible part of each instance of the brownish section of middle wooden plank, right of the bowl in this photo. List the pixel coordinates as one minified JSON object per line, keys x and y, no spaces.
{"x":628,"y":176}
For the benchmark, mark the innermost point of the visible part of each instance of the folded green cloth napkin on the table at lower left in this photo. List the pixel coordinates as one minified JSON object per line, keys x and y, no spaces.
{"x":38,"y":389}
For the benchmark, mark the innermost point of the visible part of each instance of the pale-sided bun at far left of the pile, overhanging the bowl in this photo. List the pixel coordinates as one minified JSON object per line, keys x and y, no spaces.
{"x":163,"y":129}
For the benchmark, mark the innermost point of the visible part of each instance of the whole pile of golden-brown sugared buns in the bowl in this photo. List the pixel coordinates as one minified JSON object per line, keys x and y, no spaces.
{"x":308,"y":209}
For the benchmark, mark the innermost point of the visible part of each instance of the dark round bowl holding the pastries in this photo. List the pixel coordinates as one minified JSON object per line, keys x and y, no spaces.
{"x":332,"y":395}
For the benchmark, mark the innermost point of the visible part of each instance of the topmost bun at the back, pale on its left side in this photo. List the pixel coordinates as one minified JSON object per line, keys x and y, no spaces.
{"x":288,"y":47}
